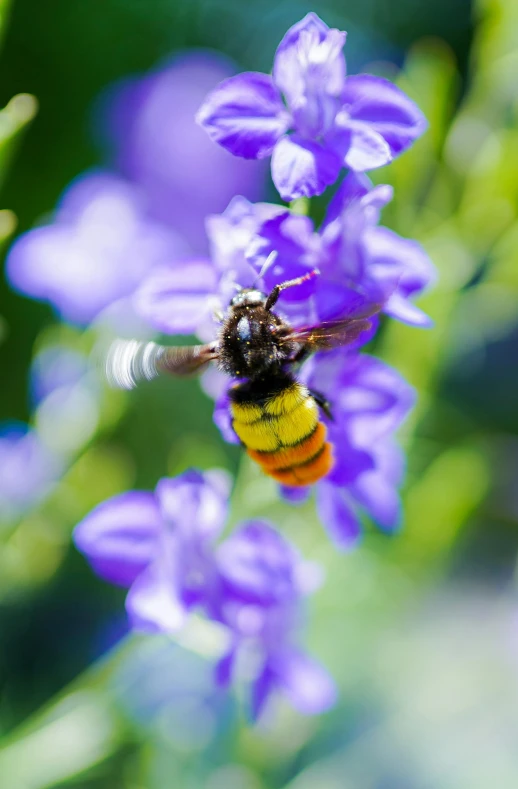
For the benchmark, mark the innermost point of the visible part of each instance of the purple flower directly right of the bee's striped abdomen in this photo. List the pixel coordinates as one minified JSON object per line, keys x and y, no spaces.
{"x":368,"y":400}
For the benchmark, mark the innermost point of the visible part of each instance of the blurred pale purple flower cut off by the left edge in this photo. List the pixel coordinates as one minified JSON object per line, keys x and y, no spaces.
{"x":28,"y":470}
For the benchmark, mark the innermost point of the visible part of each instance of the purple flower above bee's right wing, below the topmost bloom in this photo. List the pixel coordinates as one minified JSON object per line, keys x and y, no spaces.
{"x":352,"y":254}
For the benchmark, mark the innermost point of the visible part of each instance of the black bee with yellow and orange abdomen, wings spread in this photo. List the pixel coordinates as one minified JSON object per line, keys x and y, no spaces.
{"x":275,"y":416}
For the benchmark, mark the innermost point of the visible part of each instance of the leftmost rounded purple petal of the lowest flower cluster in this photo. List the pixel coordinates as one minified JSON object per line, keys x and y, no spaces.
{"x":120,"y":537}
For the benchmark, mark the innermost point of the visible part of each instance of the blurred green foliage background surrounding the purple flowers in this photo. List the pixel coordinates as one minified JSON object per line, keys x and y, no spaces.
{"x":422,"y":662}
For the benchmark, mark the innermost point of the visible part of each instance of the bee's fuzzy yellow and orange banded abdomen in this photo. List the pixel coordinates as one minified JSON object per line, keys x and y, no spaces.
{"x":284,"y":434}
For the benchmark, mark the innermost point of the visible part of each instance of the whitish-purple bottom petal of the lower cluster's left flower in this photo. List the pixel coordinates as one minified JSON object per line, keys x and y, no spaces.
{"x":152,"y":603}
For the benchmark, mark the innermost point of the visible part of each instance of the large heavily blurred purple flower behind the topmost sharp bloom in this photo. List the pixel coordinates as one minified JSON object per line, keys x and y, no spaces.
{"x":159,"y":146}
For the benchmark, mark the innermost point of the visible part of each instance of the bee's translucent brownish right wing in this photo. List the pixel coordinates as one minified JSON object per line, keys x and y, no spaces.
{"x":332,"y":334}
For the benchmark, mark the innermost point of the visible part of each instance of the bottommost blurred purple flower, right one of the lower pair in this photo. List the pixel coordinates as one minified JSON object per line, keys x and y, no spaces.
{"x":263,"y":583}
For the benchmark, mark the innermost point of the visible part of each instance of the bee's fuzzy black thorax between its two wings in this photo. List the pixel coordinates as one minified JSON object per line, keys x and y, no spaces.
{"x":252,"y":344}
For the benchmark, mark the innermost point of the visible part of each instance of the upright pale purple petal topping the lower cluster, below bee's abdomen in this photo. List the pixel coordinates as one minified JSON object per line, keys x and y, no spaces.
{"x":195,"y":504}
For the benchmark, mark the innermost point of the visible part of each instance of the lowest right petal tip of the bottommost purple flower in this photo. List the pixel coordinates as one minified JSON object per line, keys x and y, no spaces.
{"x":307,"y":684}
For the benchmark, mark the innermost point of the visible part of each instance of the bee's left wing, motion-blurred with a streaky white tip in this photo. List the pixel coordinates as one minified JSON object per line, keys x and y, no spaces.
{"x":131,"y":361}
